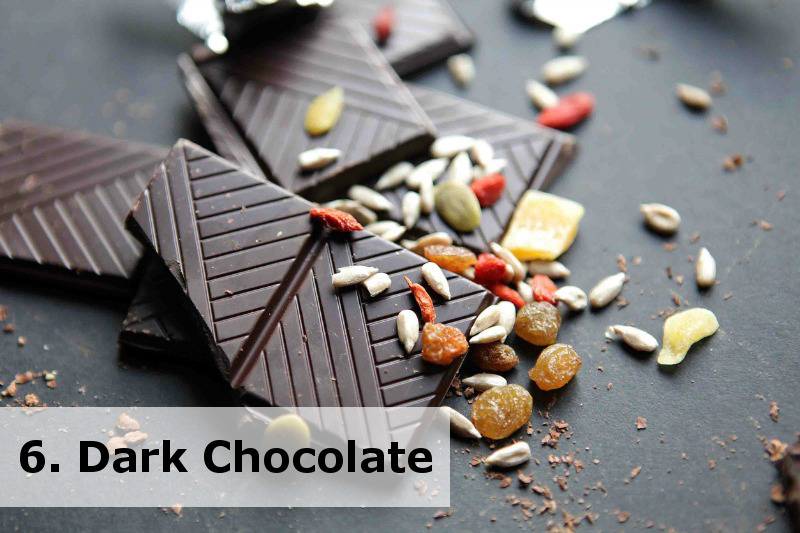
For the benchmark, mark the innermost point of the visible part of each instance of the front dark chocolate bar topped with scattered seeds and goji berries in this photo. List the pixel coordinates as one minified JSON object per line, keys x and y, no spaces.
{"x":255,"y":273}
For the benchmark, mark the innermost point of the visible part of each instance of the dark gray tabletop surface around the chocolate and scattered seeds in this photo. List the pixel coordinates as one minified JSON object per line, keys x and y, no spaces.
{"x":61,"y":61}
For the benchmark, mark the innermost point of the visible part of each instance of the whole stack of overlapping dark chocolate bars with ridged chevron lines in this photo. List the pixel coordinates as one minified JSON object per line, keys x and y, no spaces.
{"x":225,"y":263}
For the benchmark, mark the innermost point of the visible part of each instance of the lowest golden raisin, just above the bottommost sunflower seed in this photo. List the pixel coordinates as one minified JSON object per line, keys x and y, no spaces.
{"x":500,"y":411}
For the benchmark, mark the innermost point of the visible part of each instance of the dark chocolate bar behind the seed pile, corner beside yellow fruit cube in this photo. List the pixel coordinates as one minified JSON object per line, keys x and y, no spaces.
{"x":534,"y":154}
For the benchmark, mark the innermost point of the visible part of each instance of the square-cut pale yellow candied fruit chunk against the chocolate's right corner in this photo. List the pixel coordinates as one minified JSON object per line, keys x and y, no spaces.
{"x":543,"y":226}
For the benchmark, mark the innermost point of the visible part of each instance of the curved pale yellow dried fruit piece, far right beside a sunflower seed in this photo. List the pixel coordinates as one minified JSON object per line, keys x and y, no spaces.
{"x":683,"y":329}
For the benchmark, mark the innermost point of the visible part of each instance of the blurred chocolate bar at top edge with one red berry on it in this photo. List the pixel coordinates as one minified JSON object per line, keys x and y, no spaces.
{"x":425,"y":31}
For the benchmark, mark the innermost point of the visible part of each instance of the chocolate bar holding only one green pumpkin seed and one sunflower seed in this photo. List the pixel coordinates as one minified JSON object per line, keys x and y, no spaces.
{"x":266,"y":92}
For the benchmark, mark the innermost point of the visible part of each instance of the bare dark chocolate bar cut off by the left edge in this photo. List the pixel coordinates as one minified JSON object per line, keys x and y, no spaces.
{"x":64,"y":196}
